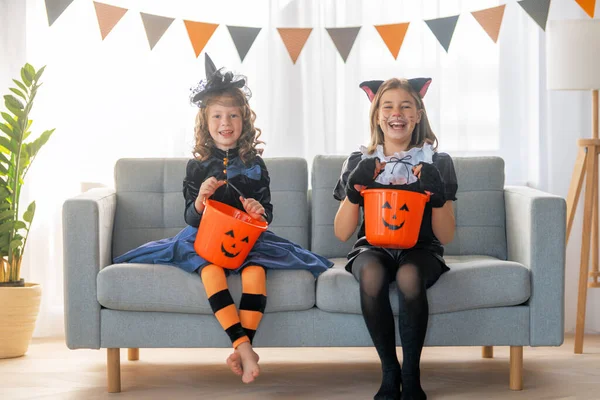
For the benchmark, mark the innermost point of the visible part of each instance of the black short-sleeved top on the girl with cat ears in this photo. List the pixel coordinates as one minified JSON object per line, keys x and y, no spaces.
{"x":427,"y":239}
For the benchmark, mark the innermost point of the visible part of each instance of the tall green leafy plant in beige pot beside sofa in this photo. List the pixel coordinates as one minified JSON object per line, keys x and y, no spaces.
{"x":19,"y":301}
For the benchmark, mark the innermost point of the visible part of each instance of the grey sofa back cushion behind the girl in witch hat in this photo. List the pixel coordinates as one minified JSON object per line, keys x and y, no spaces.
{"x":150,"y":202}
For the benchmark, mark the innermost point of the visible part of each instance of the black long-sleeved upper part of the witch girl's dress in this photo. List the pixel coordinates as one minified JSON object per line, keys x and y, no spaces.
{"x":251,"y":179}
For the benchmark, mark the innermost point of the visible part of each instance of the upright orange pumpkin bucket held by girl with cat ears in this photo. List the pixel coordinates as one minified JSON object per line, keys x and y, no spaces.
{"x":393,"y":217}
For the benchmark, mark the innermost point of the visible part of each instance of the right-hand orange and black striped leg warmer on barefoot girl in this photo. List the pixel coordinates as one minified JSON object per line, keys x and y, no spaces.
{"x":254,"y":298}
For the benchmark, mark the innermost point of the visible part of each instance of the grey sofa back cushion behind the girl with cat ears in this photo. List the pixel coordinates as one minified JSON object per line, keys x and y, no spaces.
{"x":479,"y":209}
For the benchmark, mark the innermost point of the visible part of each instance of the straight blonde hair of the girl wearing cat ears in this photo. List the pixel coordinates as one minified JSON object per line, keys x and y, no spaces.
{"x":422,"y":132}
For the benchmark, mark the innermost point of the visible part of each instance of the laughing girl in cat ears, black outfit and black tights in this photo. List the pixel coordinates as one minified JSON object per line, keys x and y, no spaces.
{"x":401,"y":155}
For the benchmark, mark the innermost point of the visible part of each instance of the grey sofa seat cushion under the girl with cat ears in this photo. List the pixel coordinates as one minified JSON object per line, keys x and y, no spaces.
{"x":472,"y":282}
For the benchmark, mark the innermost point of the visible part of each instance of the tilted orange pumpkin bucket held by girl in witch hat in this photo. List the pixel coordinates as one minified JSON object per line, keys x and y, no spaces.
{"x":226,"y":235}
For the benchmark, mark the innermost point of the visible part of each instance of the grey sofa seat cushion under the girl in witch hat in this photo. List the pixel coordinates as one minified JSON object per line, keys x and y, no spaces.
{"x":148,"y":287}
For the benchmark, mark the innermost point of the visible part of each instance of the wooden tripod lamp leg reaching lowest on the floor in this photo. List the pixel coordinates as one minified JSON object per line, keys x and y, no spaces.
{"x":590,"y":188}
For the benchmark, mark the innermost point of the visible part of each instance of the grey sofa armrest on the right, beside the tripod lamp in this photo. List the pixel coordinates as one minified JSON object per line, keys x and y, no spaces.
{"x":535,"y":237}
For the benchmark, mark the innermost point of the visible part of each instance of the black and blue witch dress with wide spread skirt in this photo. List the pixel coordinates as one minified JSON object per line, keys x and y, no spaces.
{"x":252,"y":179}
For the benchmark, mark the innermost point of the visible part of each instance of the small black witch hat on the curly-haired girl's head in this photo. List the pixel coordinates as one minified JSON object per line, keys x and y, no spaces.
{"x":217,"y":80}
